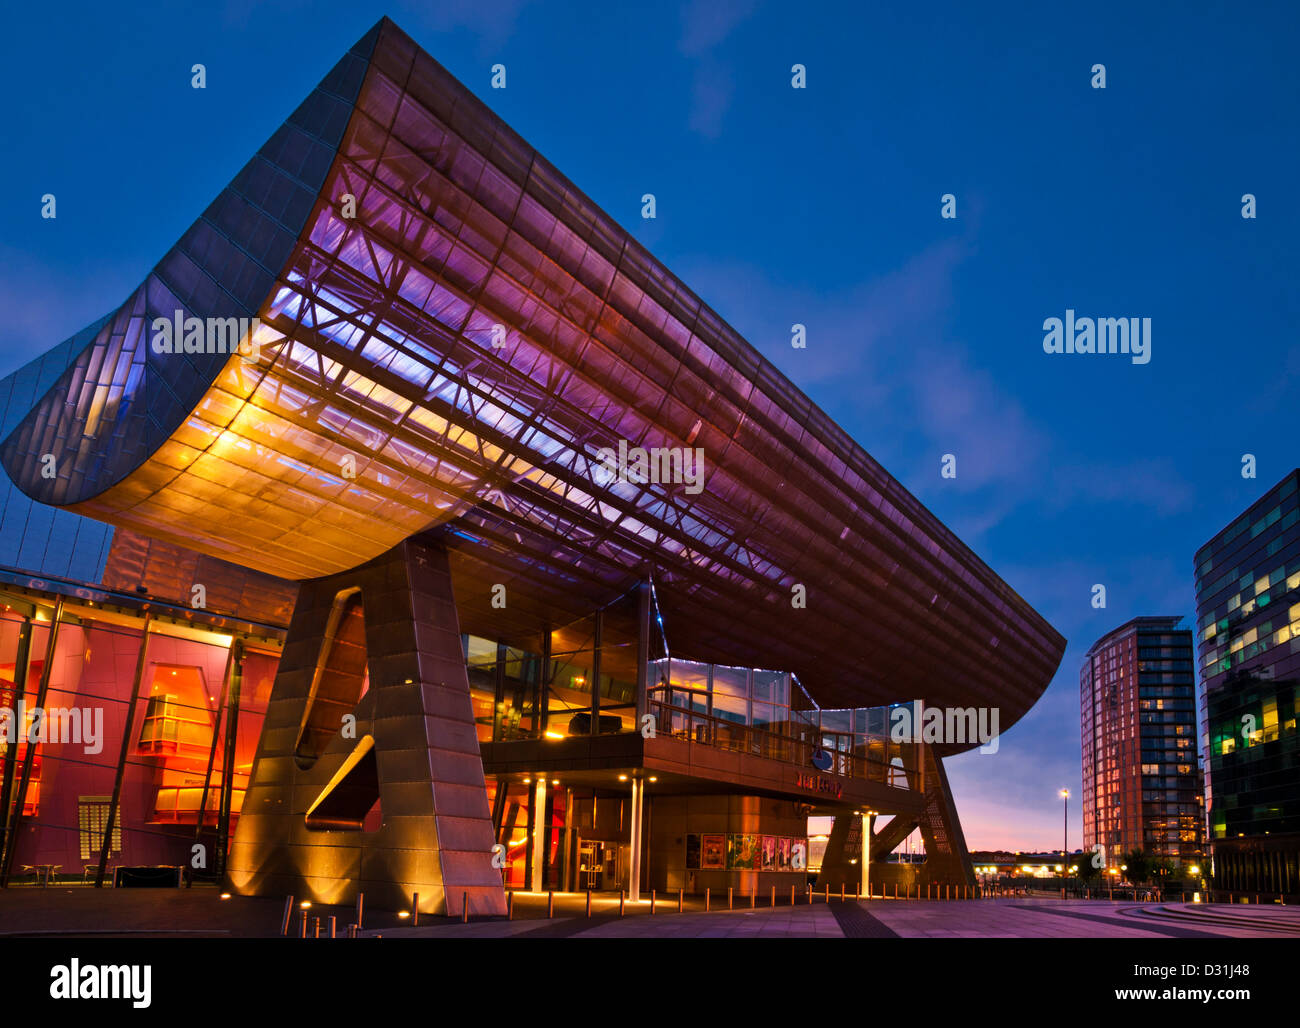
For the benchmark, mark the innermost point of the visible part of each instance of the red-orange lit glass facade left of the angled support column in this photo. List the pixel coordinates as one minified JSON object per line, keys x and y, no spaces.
{"x":168,"y":705}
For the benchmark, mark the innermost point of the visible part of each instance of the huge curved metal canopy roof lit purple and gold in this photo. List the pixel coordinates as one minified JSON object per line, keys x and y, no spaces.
{"x":452,"y":359}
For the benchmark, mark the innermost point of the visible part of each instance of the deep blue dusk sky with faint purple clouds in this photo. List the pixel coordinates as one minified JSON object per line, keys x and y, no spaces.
{"x":817,"y":207}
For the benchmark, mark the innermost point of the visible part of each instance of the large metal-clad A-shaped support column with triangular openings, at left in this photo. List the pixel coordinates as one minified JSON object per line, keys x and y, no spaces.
{"x":328,"y":756}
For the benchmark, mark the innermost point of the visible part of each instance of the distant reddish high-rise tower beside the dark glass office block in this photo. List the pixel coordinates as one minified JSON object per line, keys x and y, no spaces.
{"x":1142,"y":782}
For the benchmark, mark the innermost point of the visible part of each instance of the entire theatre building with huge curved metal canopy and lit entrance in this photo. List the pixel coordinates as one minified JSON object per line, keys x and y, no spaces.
{"x":367,"y":602}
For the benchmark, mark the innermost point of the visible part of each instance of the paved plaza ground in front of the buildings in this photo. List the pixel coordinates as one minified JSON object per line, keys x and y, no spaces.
{"x":201,"y":913}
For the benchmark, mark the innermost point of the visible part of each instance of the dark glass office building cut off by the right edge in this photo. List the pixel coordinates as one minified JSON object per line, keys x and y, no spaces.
{"x":1249,"y":648}
